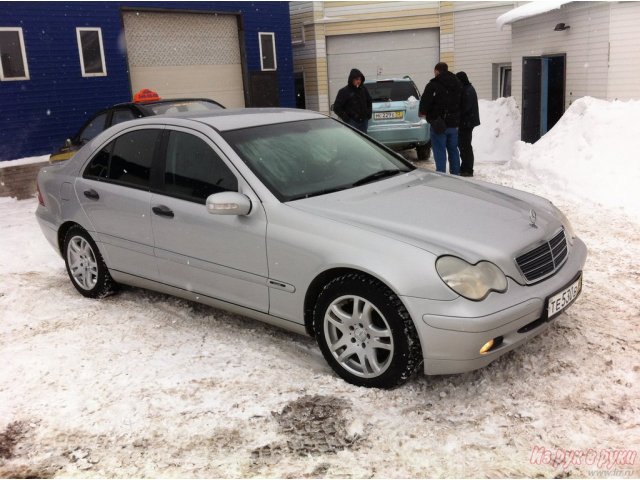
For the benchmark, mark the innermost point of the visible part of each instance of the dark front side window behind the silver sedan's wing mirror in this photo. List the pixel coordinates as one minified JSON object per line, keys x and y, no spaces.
{"x":193,"y":171}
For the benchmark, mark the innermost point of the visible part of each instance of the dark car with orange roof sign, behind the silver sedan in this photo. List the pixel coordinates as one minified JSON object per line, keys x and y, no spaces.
{"x":146,"y":103}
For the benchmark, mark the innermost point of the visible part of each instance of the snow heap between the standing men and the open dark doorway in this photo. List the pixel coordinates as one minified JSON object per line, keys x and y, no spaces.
{"x":499,"y":129}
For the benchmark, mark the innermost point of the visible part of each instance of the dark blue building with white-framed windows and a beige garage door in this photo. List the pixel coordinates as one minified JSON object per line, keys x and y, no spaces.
{"x":63,"y":61}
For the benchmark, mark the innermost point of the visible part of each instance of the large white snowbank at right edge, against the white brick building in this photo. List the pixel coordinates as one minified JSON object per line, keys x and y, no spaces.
{"x":589,"y":154}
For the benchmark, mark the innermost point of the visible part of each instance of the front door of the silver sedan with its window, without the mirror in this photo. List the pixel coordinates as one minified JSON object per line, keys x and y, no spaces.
{"x":220,"y":256}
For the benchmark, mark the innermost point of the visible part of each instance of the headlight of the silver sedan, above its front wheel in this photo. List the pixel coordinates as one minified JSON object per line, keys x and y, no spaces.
{"x":471,"y":281}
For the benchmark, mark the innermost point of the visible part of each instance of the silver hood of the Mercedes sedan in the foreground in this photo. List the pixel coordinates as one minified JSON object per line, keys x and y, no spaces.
{"x":444,"y":214}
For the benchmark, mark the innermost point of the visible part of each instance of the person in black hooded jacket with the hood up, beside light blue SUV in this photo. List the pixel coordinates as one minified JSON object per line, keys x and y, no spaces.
{"x":353,"y":103}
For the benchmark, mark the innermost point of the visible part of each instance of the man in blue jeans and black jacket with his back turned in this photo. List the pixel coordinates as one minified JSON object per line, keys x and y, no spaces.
{"x":440,"y":104}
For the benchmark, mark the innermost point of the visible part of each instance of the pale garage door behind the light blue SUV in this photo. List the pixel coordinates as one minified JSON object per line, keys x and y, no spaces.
{"x":383,"y":55}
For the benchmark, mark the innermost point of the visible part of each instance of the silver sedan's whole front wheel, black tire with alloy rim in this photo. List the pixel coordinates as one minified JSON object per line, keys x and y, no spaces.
{"x":365,"y":333}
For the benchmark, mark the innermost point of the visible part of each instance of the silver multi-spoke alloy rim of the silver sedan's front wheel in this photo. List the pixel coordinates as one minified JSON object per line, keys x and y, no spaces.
{"x":358,"y":336}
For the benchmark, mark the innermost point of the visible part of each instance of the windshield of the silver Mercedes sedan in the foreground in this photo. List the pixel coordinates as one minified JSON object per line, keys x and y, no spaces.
{"x":312,"y":157}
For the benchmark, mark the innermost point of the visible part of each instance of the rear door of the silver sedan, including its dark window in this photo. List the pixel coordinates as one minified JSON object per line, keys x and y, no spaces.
{"x":114,"y":192}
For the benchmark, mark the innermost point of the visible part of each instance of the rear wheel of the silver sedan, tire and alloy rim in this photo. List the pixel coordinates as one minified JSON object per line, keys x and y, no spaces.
{"x":85,"y":265}
